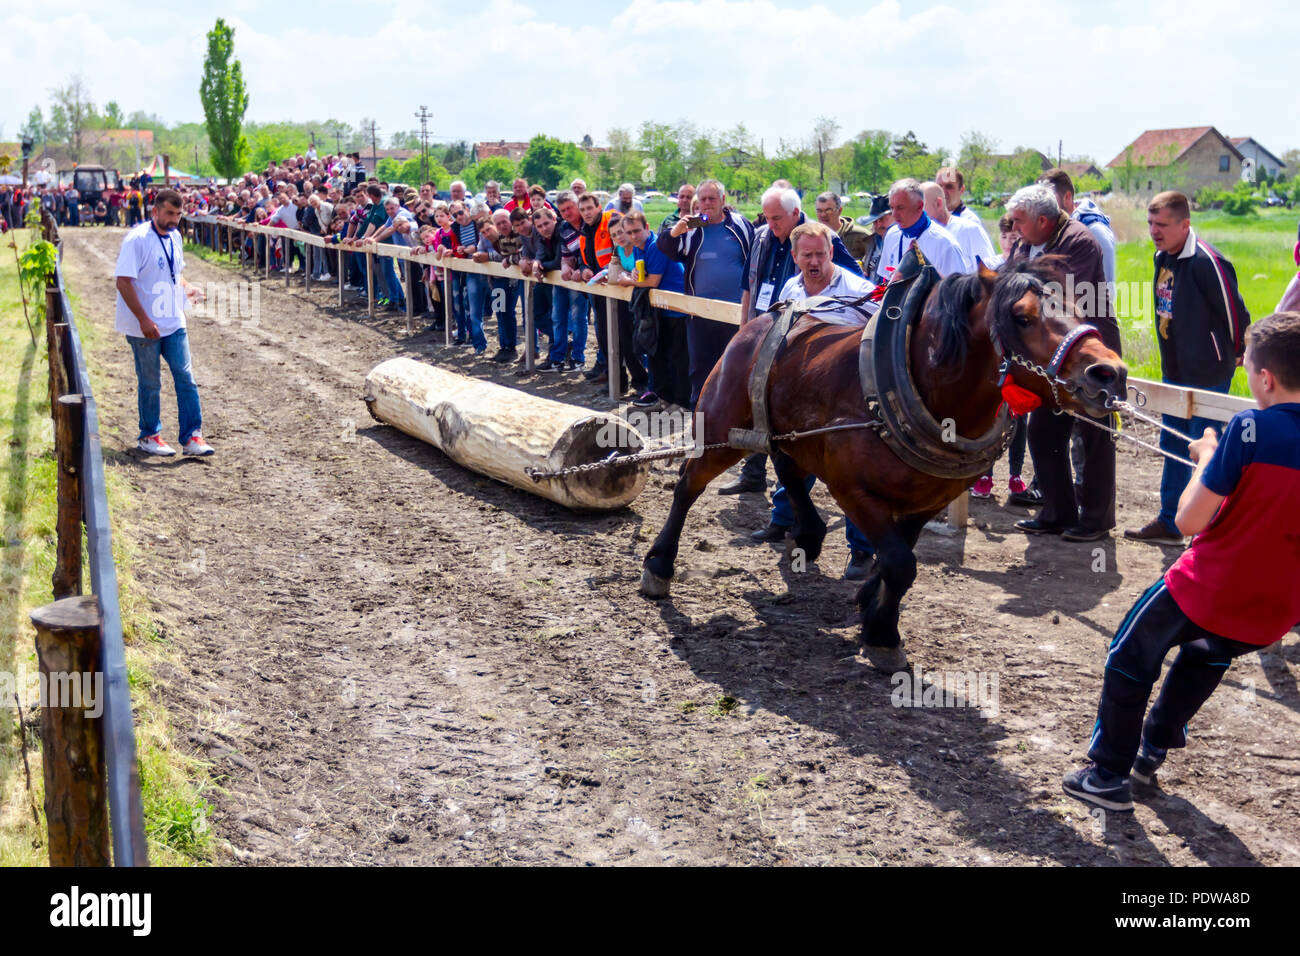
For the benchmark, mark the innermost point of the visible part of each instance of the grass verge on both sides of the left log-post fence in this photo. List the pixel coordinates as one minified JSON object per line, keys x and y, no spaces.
{"x":171,"y":784}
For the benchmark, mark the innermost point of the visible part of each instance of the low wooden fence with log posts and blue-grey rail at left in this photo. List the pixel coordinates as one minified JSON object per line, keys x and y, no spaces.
{"x":90,"y":769}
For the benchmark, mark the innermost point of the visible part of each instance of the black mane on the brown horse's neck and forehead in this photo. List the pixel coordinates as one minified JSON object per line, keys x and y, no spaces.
{"x":957,"y":295}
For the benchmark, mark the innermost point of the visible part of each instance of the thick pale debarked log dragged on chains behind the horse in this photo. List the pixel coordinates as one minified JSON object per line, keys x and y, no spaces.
{"x":502,"y":432}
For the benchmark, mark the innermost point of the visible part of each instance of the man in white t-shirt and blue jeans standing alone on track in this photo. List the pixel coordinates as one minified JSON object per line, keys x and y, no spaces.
{"x":151,"y":296}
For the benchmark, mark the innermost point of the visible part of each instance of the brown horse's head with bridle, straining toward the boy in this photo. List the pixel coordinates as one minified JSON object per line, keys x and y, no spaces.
{"x":1047,"y":347}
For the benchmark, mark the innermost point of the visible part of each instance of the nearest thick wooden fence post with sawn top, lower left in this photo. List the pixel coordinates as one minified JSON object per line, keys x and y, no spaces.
{"x":68,"y":639}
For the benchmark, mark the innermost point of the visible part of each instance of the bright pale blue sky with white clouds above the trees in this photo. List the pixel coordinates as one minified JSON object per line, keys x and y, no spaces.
{"x":1091,"y":75}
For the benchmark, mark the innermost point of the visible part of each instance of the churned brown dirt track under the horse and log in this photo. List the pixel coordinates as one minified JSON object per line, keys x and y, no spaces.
{"x":395,"y":661}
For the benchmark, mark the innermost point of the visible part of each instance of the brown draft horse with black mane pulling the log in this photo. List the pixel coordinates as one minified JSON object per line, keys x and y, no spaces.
{"x":955,"y":366}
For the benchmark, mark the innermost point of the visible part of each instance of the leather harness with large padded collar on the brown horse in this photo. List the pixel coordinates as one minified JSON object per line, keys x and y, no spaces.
{"x":899,"y":416}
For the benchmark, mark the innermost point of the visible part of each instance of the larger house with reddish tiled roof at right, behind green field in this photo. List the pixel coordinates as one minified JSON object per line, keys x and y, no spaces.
{"x":1188,"y":159}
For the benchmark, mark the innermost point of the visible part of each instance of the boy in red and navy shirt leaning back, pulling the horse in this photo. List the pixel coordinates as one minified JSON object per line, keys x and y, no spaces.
{"x":1232,"y":592}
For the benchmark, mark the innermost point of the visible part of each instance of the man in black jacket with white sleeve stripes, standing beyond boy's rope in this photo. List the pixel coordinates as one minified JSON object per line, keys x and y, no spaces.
{"x":1201,"y":328}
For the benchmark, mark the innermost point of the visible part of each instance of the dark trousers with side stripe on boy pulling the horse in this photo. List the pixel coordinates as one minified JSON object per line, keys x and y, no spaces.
{"x":1150,"y":631}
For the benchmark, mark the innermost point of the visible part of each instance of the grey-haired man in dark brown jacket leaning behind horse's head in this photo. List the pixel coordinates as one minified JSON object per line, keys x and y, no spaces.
{"x":1045,"y":230}
